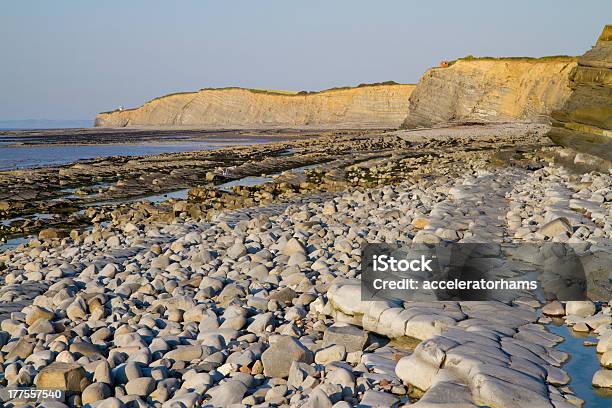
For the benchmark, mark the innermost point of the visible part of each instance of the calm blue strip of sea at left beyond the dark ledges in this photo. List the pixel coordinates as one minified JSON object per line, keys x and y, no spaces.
{"x":20,"y":157}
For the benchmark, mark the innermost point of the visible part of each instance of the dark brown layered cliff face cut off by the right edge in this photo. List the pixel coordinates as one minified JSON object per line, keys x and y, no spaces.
{"x":584,"y":123}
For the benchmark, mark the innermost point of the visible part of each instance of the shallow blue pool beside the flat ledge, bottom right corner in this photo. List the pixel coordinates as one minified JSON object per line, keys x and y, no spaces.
{"x":581,"y":366}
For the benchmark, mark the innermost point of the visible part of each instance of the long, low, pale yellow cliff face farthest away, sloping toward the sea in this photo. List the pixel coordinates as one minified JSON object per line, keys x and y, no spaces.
{"x":365,"y":106}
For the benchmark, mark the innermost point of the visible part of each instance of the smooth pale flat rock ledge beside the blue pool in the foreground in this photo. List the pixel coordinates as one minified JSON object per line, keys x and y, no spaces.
{"x":471,"y":354}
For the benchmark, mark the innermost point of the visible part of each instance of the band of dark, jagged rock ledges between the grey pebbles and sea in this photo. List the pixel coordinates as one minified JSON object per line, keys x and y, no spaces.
{"x":115,"y":172}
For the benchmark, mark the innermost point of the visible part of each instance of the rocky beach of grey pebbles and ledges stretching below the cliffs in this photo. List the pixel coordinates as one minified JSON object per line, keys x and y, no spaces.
{"x":251,"y":296}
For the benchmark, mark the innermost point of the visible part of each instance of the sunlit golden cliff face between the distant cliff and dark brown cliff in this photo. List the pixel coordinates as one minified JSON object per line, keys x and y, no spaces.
{"x":488,"y":90}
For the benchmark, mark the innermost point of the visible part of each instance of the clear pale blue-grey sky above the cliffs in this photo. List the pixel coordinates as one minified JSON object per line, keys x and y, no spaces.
{"x":71,"y":59}
